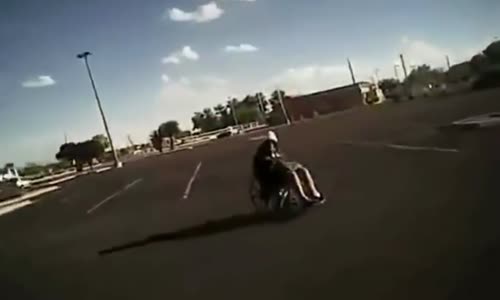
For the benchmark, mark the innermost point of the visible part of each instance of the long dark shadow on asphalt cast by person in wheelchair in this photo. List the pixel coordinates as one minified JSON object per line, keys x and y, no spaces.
{"x":205,"y":229}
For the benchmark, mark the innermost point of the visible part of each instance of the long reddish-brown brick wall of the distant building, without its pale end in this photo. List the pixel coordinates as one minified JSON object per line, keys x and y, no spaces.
{"x":323,"y":102}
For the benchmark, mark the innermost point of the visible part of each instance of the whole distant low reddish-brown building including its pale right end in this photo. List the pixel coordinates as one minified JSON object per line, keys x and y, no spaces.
{"x":336,"y":99}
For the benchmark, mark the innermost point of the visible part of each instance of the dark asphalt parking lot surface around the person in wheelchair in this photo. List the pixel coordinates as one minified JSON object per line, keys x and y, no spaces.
{"x":412,"y":214}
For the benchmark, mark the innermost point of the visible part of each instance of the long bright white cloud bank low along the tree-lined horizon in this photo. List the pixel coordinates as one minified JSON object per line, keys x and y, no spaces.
{"x":193,"y":93}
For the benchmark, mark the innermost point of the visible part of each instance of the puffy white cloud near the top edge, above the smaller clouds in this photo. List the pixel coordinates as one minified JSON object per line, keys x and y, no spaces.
{"x":204,"y":13}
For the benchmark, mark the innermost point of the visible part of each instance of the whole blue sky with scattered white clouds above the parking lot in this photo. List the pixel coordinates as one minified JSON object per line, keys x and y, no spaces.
{"x":159,"y":60}
